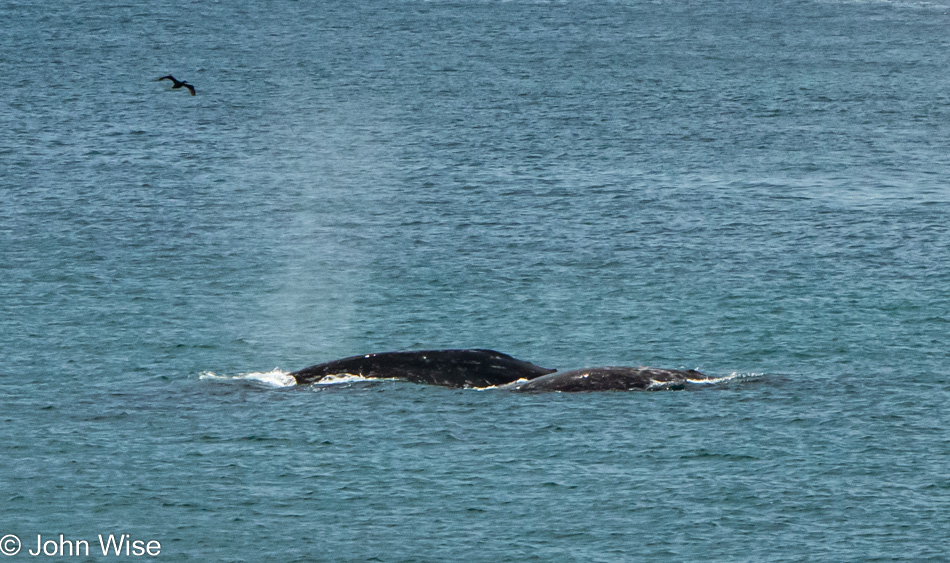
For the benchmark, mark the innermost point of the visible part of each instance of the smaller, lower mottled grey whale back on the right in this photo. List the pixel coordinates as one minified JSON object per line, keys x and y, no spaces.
{"x":611,"y":378}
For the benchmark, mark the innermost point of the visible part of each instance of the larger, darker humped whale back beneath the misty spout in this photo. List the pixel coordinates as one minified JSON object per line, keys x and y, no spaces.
{"x":447,"y":368}
